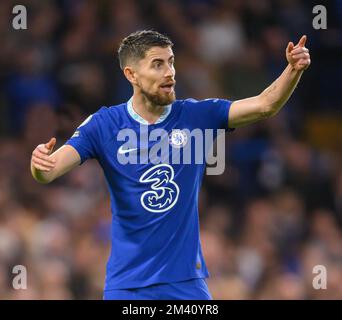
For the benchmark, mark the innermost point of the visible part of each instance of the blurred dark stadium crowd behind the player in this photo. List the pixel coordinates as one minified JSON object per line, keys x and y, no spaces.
{"x":272,"y":216}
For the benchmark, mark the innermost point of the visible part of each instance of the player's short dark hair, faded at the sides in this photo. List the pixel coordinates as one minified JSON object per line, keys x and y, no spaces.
{"x":136,"y":44}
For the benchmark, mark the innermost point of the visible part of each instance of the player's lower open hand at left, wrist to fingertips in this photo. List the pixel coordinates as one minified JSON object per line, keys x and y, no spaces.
{"x":40,"y":156}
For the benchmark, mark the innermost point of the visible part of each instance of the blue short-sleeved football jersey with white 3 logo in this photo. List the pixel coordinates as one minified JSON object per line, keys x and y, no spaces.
{"x":154,"y":205}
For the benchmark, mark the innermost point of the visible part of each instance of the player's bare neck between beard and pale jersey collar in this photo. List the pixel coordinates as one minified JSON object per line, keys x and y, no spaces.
{"x":146,"y":109}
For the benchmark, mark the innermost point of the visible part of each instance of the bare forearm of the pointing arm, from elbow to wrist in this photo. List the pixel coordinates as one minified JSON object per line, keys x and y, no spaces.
{"x":276,"y":95}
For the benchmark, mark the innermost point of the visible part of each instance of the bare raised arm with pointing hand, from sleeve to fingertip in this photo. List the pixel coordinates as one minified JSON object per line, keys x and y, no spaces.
{"x":272,"y":99}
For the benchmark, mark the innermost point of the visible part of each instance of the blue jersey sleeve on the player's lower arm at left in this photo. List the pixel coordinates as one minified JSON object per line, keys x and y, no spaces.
{"x":85,"y":140}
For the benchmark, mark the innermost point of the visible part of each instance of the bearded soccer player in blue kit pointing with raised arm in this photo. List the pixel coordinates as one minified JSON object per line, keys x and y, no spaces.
{"x":156,"y":251}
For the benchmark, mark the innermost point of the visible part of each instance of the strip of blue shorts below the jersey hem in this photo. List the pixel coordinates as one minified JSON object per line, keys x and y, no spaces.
{"x":194,"y":289}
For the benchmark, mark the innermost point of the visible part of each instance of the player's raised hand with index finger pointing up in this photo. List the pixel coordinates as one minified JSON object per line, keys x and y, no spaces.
{"x":297,"y":55}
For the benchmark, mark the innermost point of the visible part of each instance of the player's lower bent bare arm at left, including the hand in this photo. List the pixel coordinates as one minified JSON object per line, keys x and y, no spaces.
{"x":47,"y":166}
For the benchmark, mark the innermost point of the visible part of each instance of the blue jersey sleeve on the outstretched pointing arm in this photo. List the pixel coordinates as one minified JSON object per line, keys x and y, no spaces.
{"x":211,"y":113}
